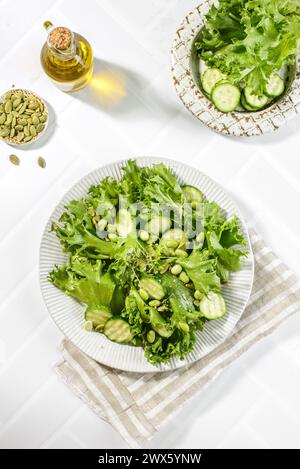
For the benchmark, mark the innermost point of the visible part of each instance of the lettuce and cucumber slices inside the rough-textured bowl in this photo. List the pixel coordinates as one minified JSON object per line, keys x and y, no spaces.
{"x":246,"y":47}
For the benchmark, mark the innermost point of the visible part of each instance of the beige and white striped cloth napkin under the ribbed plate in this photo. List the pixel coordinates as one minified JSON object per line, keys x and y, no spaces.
{"x":139,"y":405}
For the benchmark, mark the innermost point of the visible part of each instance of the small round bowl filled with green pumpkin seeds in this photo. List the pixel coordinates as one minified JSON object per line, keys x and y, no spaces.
{"x":23,"y":117}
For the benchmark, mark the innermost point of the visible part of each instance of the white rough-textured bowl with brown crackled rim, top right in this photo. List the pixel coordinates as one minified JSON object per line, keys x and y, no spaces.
{"x":185,"y":72}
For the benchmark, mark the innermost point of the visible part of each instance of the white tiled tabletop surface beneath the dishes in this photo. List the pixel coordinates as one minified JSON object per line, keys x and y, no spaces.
{"x":253,"y":404}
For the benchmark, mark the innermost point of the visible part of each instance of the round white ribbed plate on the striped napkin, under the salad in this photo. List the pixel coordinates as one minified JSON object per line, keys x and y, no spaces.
{"x":68,"y":314}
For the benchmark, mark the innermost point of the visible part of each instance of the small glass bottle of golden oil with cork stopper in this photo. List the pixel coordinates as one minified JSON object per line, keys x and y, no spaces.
{"x":67,"y":58}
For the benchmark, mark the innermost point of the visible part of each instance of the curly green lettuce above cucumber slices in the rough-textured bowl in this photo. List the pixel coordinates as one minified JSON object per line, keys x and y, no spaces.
{"x":249,"y":39}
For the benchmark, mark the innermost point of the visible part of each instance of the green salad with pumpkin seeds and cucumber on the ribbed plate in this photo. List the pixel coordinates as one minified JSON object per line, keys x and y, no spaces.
{"x":147,"y":258}
